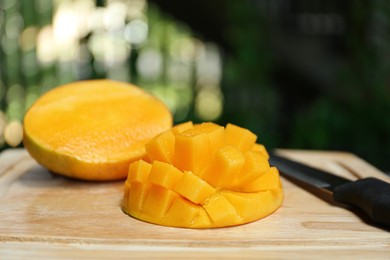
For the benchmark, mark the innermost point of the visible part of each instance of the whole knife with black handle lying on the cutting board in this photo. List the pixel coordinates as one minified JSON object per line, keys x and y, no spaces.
{"x":369,"y":194}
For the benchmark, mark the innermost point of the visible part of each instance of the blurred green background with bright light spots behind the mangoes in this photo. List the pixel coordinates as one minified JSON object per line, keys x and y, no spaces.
{"x":300,"y":74}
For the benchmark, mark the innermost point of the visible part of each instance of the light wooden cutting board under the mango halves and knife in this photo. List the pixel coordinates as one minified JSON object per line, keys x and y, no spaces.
{"x":45,"y":215}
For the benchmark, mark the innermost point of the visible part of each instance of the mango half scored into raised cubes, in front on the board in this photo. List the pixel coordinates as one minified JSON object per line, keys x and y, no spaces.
{"x":202,"y":176}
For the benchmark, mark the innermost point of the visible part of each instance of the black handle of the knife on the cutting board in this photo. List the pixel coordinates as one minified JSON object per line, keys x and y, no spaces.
{"x":371,"y":195}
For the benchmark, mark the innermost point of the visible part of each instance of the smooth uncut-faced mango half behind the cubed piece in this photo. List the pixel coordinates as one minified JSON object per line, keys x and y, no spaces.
{"x":93,"y":130}
